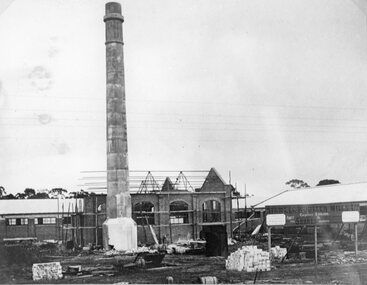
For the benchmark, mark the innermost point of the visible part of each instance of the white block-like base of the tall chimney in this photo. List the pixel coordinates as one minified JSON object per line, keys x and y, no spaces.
{"x":120,"y":233}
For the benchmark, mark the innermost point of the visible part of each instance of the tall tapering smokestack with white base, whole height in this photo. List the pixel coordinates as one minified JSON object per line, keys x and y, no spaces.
{"x":119,"y":230}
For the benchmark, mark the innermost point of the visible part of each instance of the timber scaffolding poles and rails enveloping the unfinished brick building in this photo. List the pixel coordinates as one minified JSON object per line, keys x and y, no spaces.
{"x":156,"y":204}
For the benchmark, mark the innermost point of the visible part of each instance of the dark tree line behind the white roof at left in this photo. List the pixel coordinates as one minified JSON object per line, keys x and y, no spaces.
{"x":30,"y":193}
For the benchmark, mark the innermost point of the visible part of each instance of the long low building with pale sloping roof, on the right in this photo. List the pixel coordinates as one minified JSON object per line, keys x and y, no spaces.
{"x":321,"y":205}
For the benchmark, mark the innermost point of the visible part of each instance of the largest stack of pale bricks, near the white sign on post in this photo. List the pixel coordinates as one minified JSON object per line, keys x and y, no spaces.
{"x":249,"y":259}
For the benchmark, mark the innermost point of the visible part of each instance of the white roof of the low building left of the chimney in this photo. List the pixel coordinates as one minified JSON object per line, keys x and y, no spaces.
{"x":33,"y":206}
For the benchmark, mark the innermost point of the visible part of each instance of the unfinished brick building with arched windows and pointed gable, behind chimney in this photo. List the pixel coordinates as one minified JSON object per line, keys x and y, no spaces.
{"x":167,"y":212}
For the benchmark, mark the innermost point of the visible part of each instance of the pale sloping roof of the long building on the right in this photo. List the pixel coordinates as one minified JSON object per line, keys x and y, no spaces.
{"x":334,"y":193}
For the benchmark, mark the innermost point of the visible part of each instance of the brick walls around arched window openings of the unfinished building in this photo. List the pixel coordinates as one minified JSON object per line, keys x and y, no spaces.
{"x":161,"y":201}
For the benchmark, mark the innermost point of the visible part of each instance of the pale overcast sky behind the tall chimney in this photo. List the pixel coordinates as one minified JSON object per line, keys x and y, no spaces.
{"x":269,"y":90}
